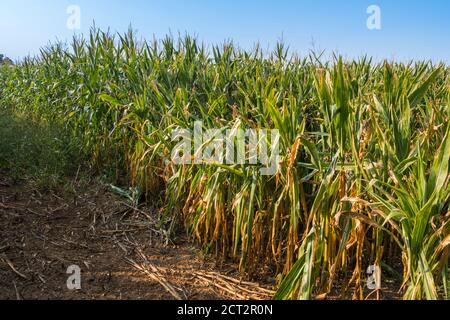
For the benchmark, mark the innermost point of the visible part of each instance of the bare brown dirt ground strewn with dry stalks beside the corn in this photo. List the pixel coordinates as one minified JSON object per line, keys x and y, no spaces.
{"x":121,"y":252}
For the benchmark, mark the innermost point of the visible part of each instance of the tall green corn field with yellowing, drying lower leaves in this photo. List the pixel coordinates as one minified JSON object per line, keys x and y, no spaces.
{"x":363,"y":176}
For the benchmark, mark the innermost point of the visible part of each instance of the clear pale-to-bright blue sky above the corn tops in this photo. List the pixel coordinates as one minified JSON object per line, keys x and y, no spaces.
{"x":411,"y":29}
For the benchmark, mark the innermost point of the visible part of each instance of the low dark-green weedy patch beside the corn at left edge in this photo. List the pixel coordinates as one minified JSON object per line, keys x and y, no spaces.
{"x":37,"y":150}
